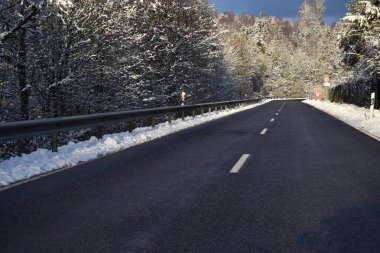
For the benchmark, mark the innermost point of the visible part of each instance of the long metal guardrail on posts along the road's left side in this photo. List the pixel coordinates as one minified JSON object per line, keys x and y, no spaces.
{"x":45,"y":127}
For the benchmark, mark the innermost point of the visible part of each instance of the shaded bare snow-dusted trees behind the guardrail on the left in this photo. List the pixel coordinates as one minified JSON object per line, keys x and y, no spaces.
{"x":118,"y":54}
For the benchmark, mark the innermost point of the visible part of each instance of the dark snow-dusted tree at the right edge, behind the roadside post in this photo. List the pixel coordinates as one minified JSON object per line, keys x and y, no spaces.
{"x":359,"y":41}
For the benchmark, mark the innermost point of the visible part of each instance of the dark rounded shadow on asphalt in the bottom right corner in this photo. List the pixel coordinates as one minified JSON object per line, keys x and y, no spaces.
{"x":353,"y":230}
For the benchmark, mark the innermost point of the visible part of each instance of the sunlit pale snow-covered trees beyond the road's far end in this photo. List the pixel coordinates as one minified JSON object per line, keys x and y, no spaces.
{"x":281,"y":58}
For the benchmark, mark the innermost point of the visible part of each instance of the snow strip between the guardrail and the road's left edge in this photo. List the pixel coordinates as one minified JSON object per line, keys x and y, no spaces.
{"x":43,"y":160}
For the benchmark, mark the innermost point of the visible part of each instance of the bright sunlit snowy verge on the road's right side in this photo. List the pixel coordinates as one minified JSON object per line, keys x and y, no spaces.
{"x":357,"y":117}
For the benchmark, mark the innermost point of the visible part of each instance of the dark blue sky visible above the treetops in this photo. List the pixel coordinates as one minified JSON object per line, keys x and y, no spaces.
{"x":280,"y":8}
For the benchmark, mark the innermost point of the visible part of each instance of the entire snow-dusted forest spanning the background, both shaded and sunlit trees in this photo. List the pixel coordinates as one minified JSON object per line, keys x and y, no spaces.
{"x":65,"y":57}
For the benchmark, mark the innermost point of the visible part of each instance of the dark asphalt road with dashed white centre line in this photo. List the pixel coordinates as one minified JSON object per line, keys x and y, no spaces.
{"x":310,"y":184}
